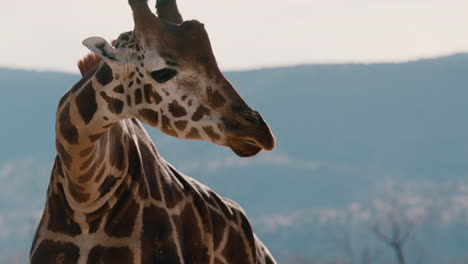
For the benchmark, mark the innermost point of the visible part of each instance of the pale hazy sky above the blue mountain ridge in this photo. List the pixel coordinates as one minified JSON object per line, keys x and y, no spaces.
{"x":245,"y":33}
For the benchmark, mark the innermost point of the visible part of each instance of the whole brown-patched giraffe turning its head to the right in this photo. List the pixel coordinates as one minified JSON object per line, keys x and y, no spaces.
{"x":111,"y":197}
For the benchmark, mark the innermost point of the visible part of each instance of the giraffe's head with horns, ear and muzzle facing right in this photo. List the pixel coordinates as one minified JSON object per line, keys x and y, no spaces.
{"x":172,"y":81}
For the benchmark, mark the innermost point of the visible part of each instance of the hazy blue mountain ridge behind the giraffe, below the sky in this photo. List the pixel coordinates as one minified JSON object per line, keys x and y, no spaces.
{"x":347,"y":135}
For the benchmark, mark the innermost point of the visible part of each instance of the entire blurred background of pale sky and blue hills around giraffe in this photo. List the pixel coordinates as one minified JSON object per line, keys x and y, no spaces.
{"x":368,"y":101}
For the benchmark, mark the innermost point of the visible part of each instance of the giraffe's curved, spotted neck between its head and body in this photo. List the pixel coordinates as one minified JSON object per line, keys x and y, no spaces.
{"x":91,"y":129}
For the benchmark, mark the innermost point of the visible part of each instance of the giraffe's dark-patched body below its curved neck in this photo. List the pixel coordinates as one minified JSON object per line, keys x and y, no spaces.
{"x":155,"y":215}
